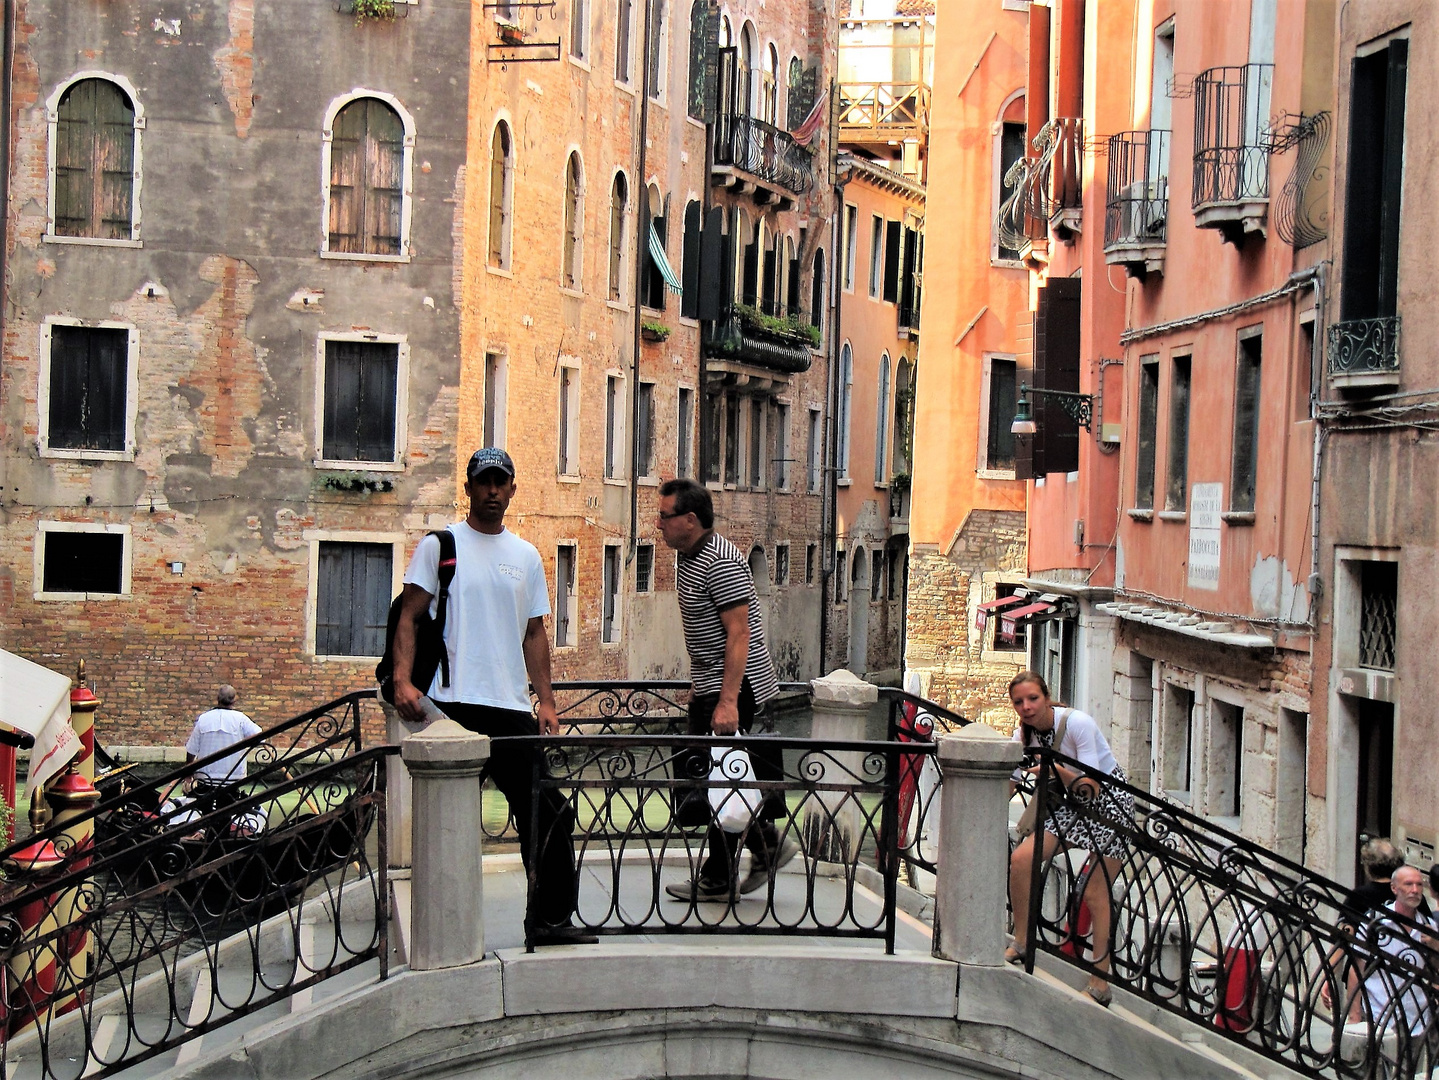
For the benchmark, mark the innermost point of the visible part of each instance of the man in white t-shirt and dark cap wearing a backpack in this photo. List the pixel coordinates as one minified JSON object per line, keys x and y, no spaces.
{"x":496,"y":638}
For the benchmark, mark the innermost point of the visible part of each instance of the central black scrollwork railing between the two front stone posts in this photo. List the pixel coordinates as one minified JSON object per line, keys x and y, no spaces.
{"x":643,"y":807}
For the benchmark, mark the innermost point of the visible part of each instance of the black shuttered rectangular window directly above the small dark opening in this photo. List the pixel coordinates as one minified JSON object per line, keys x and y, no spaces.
{"x":88,"y":389}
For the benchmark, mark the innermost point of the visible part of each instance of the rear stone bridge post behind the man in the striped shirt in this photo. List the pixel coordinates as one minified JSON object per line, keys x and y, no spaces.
{"x":841,"y":705}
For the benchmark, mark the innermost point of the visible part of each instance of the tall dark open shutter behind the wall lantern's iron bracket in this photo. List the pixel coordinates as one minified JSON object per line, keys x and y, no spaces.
{"x":1056,"y":444}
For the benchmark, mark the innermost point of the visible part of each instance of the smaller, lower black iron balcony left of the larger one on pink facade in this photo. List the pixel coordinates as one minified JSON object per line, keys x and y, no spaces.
{"x":1136,"y":214}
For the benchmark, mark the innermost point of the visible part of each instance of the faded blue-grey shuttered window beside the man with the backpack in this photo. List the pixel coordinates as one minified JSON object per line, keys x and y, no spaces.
{"x":353,"y":599}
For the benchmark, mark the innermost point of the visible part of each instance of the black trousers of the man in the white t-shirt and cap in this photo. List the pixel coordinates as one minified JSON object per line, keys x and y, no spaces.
{"x":514,"y":767}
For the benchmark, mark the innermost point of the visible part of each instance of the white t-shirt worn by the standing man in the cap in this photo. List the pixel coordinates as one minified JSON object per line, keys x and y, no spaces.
{"x":499,"y":589}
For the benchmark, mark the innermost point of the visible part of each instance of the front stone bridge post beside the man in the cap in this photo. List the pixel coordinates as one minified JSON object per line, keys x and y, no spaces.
{"x":448,"y":918}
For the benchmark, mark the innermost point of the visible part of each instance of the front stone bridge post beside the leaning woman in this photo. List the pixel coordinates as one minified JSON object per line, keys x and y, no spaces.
{"x":973,"y":868}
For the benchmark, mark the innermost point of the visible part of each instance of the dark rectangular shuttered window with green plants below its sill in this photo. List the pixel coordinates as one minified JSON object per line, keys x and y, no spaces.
{"x":360,"y":399}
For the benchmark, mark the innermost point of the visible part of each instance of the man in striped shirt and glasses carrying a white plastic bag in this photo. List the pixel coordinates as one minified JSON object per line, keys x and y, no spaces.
{"x":732,"y":675}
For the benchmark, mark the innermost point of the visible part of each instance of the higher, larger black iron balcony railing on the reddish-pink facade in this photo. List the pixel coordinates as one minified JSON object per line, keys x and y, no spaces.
{"x":1231,"y":113}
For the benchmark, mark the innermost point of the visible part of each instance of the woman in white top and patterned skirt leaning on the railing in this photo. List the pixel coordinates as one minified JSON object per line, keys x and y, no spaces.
{"x":1064,"y":826}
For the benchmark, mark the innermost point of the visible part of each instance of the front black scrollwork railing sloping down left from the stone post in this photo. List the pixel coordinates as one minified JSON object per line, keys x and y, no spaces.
{"x":120,"y":948}
